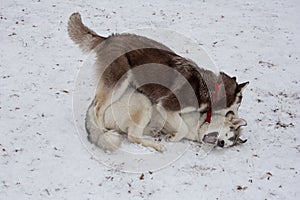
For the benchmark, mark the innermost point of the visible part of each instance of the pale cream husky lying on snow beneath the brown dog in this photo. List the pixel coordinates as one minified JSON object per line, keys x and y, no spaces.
{"x":134,"y":114}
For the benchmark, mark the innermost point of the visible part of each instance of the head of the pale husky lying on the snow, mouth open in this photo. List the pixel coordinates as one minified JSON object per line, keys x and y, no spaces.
{"x":224,"y":131}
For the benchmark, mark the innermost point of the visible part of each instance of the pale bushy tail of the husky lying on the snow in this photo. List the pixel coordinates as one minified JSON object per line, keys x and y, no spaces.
{"x":106,"y":140}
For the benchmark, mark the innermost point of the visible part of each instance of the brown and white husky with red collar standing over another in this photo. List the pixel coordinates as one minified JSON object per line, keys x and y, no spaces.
{"x":173,"y":83}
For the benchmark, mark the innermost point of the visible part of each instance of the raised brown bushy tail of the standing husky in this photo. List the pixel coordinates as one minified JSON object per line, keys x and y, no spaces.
{"x":86,"y":38}
